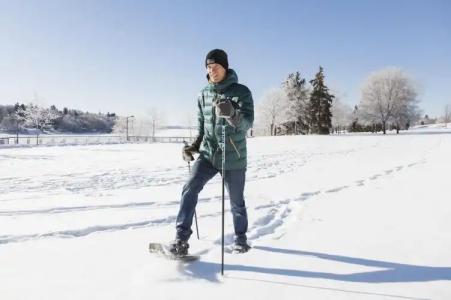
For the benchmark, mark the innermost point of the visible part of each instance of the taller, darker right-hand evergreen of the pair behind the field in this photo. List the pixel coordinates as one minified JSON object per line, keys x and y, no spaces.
{"x":320,"y":115}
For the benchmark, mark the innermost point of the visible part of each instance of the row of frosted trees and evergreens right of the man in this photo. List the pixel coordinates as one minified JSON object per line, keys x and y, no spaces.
{"x":389,"y":100}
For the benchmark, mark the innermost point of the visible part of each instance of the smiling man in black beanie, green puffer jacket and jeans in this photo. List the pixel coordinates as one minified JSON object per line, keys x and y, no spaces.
{"x":222,"y":102}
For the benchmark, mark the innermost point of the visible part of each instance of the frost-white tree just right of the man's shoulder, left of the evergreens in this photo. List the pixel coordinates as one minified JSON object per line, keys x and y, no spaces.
{"x":272,"y":111}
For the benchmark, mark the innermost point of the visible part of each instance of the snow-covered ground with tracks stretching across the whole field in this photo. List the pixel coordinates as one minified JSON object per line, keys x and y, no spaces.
{"x":330,"y":217}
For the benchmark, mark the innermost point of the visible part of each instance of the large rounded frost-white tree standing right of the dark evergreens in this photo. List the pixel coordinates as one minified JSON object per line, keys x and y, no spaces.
{"x":388,"y":94}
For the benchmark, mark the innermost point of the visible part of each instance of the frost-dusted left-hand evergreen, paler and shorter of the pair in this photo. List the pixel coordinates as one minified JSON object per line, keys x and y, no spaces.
{"x":298,"y":96}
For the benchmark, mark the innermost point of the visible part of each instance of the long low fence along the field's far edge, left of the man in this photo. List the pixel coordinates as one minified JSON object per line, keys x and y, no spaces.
{"x":87,"y":140}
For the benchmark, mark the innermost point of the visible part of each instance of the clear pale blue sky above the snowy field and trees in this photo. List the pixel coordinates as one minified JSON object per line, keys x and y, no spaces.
{"x":130,"y":56}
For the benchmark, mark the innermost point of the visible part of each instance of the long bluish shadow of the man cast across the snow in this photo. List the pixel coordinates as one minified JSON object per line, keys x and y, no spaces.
{"x":392,"y":272}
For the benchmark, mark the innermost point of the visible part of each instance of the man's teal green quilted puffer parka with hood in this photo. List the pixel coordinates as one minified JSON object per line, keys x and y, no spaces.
{"x":210,"y":127}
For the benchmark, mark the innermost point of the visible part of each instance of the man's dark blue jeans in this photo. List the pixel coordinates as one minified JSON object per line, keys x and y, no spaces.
{"x":201,"y":172}
